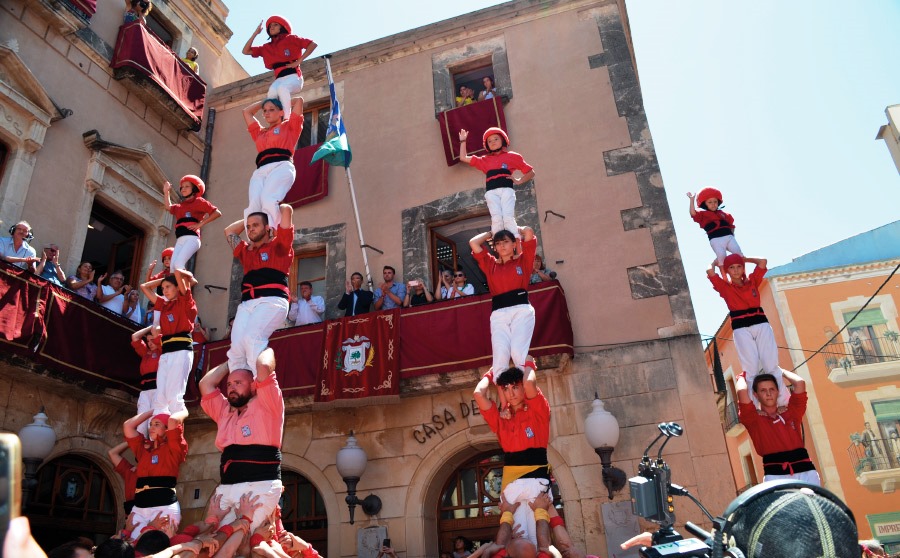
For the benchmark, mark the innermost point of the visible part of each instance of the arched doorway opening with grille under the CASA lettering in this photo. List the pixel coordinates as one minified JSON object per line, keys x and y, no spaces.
{"x":468,"y":505}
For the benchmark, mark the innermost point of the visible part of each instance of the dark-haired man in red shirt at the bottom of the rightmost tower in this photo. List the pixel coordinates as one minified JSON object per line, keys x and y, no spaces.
{"x":776,"y":434}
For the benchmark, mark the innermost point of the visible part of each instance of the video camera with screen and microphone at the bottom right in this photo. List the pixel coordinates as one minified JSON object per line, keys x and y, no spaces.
{"x":652,"y":494}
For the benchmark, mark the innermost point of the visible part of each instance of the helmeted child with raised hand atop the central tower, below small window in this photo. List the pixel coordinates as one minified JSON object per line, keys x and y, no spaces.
{"x":498,"y":166}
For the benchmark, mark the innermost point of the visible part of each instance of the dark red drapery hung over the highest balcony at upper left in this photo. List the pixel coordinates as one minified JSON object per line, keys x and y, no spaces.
{"x":138,"y":48}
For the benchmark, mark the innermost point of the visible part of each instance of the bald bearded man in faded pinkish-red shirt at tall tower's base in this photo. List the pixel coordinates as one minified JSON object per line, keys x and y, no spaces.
{"x":250,"y":424}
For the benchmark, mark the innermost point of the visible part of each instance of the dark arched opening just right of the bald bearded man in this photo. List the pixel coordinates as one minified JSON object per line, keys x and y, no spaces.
{"x":303,"y":510}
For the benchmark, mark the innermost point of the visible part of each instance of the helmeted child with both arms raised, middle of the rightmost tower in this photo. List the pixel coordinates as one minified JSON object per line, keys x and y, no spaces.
{"x":753,"y":336}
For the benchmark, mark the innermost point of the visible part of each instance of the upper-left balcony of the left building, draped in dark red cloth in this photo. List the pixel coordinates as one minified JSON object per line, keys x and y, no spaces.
{"x":152,"y":70}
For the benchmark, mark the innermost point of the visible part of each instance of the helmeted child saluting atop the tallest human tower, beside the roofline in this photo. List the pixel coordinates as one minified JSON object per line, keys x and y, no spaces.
{"x":283,"y":53}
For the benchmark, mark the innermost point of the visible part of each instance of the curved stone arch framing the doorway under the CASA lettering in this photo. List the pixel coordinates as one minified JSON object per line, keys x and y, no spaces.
{"x":425,"y":486}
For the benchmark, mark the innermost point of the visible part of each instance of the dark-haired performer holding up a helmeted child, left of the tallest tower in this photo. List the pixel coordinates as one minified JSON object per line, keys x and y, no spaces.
{"x":177,"y":312}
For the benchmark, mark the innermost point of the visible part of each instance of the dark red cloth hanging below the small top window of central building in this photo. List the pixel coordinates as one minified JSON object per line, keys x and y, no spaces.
{"x":474,"y":118}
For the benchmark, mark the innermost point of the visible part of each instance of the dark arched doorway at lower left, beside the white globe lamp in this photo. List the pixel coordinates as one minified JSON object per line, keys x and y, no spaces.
{"x":73,"y":498}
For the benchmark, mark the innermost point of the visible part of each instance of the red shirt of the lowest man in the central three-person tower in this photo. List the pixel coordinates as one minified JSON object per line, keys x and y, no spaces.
{"x":526,"y":429}
